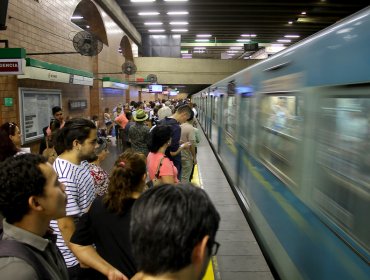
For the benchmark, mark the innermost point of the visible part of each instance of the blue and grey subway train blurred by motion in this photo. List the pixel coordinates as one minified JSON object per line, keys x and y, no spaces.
{"x":293,"y":135}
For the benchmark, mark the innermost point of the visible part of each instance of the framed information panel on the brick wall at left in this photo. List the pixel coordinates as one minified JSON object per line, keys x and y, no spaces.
{"x":35,"y":113}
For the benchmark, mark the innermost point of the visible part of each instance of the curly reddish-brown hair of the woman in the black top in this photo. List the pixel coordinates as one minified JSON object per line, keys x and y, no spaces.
{"x":126,"y":178}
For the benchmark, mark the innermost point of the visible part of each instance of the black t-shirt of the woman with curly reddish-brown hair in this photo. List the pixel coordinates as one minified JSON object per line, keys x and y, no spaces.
{"x":110,"y":233}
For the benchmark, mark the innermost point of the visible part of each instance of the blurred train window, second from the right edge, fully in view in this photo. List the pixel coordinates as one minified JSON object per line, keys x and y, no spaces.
{"x":281,"y":133}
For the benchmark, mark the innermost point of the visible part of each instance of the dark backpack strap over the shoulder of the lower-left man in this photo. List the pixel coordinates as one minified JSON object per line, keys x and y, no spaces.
{"x":13,"y":248}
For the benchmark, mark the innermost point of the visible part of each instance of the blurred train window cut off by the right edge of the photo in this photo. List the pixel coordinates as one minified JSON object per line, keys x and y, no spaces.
{"x":342,"y":156}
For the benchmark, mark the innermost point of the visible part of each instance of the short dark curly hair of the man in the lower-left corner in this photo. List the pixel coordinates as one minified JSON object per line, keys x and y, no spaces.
{"x":20,"y":178}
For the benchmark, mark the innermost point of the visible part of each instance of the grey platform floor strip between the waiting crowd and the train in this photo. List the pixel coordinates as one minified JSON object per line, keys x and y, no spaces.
{"x":239,"y":256}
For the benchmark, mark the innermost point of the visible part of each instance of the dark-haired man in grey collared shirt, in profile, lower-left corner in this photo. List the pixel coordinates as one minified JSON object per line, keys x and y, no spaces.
{"x":30,"y":196}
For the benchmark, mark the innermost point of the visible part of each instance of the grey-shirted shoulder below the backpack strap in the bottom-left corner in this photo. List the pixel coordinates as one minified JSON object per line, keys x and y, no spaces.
{"x":15,"y":268}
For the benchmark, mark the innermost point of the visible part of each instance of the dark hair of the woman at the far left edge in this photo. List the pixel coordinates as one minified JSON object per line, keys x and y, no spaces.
{"x":7,"y":147}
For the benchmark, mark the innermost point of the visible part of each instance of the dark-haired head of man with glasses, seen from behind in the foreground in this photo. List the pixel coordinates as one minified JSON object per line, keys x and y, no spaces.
{"x":173,"y":230}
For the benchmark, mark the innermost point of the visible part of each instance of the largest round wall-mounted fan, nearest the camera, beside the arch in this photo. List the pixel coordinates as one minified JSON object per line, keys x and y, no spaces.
{"x":87,"y":44}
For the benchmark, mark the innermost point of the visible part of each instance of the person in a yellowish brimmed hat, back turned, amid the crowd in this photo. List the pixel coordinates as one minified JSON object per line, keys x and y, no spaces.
{"x":138,"y":133}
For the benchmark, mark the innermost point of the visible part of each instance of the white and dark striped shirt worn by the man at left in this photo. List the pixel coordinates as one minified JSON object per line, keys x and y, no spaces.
{"x":79,"y":187}
